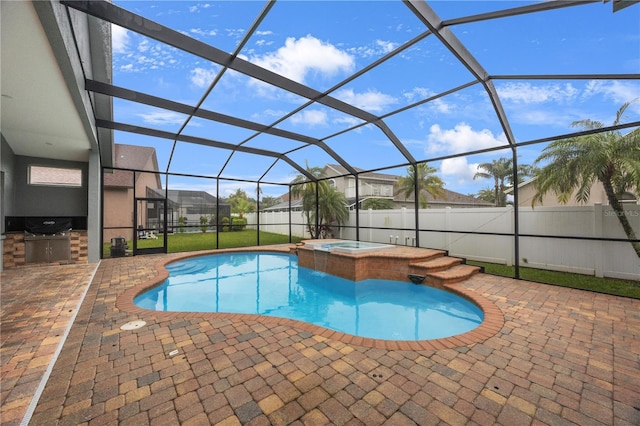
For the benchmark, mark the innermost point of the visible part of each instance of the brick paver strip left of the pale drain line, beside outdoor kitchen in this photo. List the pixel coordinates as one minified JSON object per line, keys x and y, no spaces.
{"x":37,"y":304}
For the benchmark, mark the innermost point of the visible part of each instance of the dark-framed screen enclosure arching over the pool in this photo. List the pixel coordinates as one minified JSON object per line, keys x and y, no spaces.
{"x":447,"y":111}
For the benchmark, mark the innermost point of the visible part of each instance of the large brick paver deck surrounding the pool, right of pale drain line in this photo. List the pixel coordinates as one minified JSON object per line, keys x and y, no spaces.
{"x":563,"y":356}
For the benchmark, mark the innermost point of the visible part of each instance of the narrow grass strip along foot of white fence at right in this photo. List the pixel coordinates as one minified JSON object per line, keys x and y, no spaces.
{"x":585,"y":282}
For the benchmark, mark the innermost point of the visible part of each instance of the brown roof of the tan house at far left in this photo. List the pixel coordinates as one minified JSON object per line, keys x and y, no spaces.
{"x":130,"y":157}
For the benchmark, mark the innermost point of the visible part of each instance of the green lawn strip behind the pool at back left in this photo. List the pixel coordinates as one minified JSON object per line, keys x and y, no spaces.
{"x":206,"y":241}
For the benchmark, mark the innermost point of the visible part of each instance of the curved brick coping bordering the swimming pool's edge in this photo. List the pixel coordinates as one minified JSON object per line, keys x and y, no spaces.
{"x":490,"y":326}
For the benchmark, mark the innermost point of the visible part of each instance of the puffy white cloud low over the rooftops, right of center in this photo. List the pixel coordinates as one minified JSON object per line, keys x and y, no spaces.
{"x":462,"y":138}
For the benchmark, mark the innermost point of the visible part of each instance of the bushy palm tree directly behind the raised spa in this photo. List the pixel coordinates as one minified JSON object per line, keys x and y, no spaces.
{"x":332,"y":205}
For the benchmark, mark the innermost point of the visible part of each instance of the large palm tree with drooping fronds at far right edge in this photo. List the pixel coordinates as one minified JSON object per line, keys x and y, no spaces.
{"x":575,"y":163}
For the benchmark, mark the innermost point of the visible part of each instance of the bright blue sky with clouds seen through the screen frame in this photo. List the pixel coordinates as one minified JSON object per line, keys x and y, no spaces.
{"x":320,"y":44}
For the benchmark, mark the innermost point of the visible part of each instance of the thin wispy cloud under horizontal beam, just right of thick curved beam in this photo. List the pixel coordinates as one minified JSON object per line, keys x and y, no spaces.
{"x":528,"y":93}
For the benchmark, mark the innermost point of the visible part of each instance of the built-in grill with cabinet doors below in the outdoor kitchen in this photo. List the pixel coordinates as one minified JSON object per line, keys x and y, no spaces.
{"x":47,"y":239}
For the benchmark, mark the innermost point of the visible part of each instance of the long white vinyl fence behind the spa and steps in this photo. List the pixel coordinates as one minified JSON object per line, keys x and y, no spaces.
{"x":449,"y":229}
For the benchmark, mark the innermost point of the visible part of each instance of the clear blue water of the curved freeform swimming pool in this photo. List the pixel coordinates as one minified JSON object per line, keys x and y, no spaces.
{"x":273,"y":284}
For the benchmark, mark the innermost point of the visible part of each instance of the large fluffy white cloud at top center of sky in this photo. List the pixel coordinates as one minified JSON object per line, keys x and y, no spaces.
{"x":300,"y":57}
